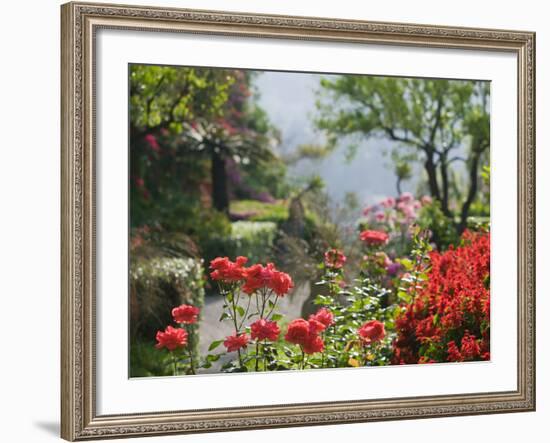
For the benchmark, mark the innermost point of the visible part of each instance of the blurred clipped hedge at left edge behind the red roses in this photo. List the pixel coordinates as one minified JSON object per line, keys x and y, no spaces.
{"x":156,"y":286}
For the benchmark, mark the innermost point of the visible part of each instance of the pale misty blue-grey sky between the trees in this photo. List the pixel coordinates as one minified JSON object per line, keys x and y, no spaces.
{"x":289,"y":100}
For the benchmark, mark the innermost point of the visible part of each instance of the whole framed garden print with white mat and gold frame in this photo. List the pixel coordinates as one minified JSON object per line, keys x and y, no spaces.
{"x":282,"y":221}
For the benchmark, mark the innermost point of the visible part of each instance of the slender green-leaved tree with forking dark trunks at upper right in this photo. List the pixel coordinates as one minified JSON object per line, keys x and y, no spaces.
{"x":436,"y":121}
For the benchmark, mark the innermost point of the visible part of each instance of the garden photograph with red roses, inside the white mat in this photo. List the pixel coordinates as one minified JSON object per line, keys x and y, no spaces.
{"x":305,"y":221}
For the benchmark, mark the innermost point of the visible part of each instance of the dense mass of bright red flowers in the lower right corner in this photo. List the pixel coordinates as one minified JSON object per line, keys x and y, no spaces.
{"x":448,"y":319}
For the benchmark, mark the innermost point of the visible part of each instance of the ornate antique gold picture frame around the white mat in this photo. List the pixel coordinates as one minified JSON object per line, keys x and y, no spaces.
{"x":80,"y":23}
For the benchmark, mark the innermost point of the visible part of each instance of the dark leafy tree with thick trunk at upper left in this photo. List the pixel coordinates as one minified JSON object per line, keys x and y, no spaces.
{"x":186,"y":124}
